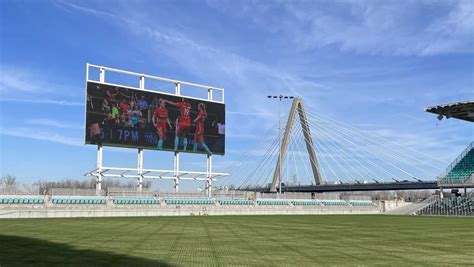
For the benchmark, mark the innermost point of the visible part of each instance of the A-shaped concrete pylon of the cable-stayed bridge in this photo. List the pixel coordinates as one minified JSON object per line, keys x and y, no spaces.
{"x":297,"y":109}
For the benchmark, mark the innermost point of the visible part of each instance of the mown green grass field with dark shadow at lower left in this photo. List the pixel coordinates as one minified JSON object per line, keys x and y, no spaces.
{"x":240,"y":240}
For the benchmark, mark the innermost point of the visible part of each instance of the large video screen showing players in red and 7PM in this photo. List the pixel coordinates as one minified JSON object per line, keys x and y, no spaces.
{"x":124,"y":117}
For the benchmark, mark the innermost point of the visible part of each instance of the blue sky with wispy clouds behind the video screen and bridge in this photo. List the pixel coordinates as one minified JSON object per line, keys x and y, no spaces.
{"x":371,"y":64}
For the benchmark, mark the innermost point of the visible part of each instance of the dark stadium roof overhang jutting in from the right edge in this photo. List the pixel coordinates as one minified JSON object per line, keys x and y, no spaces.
{"x":463,"y":110}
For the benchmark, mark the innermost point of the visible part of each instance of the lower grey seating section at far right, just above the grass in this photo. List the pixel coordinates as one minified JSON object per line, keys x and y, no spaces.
{"x":461,"y":206}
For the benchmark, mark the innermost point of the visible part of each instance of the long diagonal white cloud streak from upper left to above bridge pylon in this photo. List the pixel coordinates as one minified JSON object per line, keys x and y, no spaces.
{"x":250,"y":79}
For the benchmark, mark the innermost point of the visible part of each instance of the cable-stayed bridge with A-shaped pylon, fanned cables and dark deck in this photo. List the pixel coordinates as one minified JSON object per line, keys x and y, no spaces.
{"x":315,"y":153}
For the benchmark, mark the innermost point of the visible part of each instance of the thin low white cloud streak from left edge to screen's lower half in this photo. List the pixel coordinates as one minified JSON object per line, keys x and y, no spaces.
{"x":42,"y":136}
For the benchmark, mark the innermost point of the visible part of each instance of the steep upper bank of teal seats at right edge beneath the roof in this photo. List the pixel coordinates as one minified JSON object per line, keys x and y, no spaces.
{"x":461,"y":171}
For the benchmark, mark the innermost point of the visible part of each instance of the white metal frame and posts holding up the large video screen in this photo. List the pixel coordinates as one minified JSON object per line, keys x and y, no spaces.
{"x":140,"y":172}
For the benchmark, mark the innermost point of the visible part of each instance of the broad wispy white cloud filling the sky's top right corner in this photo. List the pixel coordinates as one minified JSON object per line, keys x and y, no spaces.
{"x":366,"y":27}
